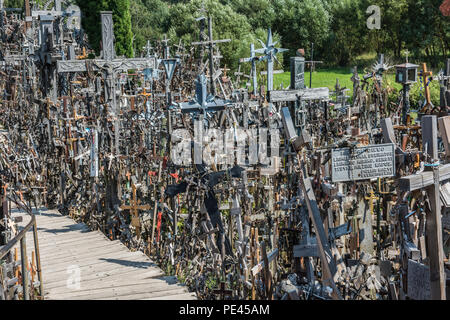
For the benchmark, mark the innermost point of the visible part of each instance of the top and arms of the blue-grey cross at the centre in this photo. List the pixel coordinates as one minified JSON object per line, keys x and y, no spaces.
{"x":203,"y":102}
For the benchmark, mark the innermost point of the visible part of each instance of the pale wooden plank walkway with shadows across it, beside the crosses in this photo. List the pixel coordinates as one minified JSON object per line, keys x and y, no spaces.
{"x":107,"y":269}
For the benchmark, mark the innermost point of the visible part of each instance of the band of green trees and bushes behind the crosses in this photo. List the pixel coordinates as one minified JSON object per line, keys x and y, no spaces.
{"x":337,"y":27}
